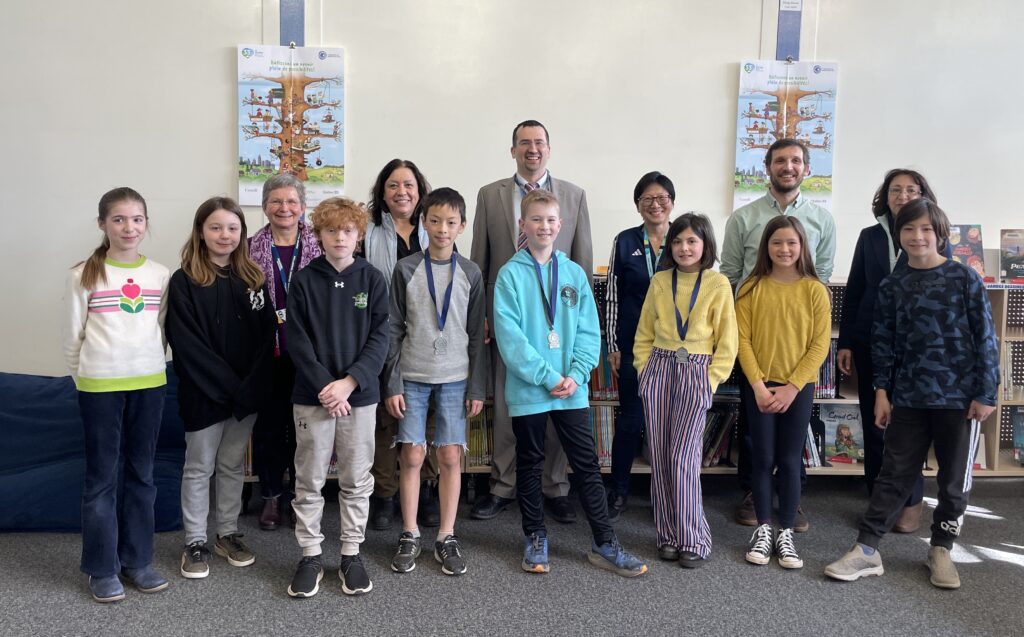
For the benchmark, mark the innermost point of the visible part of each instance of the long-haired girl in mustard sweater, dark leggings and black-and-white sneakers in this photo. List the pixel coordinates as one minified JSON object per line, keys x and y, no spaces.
{"x":785,"y":322}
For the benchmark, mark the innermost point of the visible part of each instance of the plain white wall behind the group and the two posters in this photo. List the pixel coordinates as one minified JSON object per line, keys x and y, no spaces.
{"x":142,"y":94}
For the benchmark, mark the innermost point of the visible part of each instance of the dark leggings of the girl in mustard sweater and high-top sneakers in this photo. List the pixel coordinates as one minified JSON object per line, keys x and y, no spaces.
{"x":778,"y":441}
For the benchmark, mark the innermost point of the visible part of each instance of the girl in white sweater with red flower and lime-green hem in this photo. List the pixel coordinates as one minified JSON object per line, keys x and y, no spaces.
{"x":114,"y":347}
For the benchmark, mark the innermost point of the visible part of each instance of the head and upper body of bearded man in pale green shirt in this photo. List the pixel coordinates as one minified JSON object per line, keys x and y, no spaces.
{"x":787,"y":162}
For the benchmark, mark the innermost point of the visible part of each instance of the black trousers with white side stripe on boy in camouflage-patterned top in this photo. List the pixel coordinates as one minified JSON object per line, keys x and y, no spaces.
{"x":909,"y":437}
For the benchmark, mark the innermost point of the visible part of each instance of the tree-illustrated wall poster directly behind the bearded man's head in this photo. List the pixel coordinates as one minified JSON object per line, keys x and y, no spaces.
{"x":786,"y":100}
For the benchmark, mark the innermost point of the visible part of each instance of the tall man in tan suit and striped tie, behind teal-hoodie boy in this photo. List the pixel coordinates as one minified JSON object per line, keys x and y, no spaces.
{"x":496,"y":239}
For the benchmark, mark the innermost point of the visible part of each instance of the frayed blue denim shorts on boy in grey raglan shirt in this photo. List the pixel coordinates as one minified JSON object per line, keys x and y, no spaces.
{"x":450,"y":414}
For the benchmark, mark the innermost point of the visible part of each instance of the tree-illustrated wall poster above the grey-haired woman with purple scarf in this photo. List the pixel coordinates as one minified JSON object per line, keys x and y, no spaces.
{"x":291,"y":119}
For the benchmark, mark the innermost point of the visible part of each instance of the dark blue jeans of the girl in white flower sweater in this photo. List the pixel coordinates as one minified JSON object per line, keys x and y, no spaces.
{"x":121,"y":431}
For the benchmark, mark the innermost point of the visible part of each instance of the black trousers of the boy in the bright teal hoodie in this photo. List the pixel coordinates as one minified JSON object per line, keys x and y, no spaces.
{"x":574,"y":431}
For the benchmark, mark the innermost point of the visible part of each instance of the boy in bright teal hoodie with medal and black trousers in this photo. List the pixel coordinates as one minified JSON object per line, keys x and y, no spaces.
{"x":548,"y":334}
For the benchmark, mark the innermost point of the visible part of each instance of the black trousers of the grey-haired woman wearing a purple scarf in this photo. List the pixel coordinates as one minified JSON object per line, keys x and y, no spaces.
{"x":274,"y":434}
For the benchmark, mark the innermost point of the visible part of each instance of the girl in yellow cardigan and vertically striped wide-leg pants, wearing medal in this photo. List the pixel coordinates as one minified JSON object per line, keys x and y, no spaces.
{"x":686,"y":346}
